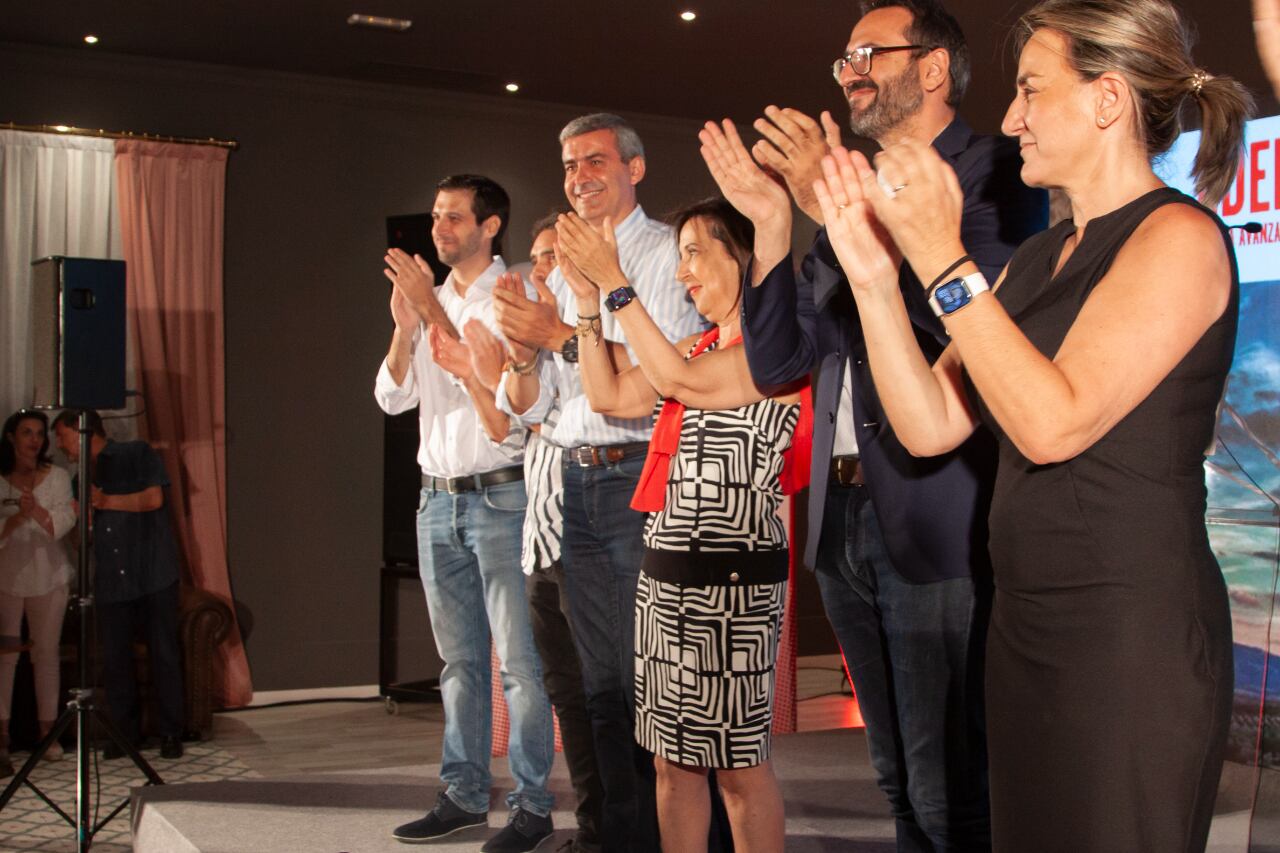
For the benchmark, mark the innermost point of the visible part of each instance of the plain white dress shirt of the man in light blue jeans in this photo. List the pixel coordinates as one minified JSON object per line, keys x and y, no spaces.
{"x":452,"y":440}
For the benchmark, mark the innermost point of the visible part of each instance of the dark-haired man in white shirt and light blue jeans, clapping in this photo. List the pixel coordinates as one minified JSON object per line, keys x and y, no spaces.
{"x":469,"y":523}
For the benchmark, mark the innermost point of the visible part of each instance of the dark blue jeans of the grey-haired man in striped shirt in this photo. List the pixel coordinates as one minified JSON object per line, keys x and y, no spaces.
{"x":601,"y":550}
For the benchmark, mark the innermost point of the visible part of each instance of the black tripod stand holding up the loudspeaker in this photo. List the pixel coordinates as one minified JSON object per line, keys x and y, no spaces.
{"x":81,"y":709}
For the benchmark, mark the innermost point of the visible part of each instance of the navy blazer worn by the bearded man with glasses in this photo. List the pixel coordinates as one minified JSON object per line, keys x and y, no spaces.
{"x":932,"y":512}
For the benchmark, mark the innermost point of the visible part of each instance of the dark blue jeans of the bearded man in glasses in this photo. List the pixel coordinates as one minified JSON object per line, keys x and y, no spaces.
{"x":915,"y":654}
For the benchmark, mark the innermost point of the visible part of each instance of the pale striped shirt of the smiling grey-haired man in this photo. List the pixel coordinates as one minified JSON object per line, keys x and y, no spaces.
{"x":648,"y":254}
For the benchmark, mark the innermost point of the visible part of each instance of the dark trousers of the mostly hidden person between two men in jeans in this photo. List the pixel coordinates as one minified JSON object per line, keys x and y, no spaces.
{"x":563,"y":679}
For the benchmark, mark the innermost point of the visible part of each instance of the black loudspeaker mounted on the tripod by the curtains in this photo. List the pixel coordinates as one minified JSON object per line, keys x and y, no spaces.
{"x":77,"y":335}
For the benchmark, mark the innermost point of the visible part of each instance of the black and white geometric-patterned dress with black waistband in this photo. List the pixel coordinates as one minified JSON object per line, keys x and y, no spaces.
{"x":712,"y":590}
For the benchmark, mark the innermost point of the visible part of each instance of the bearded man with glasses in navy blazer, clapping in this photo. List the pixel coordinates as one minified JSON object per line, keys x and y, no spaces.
{"x":899,"y":544}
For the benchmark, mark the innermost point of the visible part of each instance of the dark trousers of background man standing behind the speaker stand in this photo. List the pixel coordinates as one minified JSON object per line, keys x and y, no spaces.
{"x":118,"y":623}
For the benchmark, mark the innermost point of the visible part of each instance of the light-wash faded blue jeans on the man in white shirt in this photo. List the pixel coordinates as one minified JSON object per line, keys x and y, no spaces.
{"x":469,"y":558}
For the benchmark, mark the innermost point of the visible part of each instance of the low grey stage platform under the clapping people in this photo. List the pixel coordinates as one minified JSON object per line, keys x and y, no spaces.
{"x":833,"y":804}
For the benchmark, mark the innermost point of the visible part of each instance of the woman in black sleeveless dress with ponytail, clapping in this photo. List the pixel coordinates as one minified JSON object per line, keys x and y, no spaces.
{"x":1099,"y":363}
